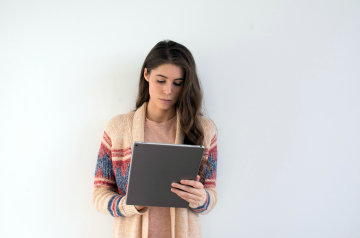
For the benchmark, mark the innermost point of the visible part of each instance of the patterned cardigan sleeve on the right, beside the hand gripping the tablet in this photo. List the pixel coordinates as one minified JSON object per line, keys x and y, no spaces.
{"x":210,"y":196}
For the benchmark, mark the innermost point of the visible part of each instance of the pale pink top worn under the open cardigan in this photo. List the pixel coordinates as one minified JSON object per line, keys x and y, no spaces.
{"x":159,"y":217}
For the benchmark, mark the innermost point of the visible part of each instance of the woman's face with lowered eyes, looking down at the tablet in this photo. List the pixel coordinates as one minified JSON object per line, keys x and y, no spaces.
{"x":165,"y":84}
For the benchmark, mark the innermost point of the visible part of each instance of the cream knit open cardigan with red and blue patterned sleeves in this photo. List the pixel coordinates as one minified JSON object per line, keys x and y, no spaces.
{"x":112,"y":171}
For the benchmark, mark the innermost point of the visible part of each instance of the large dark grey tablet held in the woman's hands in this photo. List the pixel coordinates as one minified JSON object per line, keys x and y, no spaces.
{"x":155,"y":166}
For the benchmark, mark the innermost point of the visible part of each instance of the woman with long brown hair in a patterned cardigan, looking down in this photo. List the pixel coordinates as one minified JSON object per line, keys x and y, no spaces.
{"x":168,"y":110}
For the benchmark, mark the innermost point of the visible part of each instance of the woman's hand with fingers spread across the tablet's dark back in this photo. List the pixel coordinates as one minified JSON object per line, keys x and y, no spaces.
{"x":193,"y":194}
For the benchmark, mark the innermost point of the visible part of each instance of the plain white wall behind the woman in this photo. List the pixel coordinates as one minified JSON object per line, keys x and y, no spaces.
{"x":281,"y":81}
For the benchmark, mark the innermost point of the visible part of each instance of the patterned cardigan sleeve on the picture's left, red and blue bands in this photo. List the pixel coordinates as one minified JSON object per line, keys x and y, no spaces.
{"x":105,"y":196}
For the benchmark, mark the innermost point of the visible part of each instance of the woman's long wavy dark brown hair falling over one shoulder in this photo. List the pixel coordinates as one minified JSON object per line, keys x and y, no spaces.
{"x":191,"y":95}
